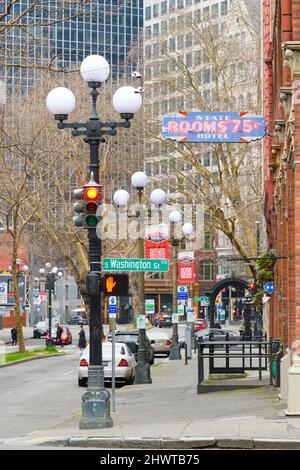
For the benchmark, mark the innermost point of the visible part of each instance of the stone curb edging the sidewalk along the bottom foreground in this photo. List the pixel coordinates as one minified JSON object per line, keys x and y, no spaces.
{"x":173,"y":443}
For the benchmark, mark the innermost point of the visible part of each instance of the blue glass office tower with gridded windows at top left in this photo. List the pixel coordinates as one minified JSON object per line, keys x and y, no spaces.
{"x":62,"y":33}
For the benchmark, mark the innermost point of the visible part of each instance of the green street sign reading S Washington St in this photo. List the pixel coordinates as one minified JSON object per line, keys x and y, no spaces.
{"x":135,"y":264}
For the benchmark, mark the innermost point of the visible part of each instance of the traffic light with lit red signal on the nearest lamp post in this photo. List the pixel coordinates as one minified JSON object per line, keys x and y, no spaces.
{"x":86,"y":209}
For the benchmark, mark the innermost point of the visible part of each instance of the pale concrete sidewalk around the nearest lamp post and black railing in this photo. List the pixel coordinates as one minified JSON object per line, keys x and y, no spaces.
{"x":169,"y":414}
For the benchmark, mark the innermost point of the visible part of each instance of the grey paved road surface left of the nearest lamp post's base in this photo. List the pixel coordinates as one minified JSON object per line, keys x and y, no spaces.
{"x":38,"y":395}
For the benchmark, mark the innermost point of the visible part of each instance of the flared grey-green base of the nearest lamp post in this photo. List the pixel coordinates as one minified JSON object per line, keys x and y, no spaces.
{"x":96,"y":402}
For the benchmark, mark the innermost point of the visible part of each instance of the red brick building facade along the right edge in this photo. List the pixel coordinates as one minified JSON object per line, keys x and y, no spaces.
{"x":282,"y":161}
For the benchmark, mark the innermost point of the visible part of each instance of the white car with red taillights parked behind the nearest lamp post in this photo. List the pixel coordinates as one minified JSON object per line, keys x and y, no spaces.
{"x":124,"y":364}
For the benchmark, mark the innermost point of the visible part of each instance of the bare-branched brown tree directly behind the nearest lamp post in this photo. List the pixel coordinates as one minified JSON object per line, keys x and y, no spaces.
{"x":58,"y":164}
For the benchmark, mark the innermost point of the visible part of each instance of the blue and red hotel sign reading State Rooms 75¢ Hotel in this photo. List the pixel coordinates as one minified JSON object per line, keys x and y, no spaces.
{"x":239,"y":127}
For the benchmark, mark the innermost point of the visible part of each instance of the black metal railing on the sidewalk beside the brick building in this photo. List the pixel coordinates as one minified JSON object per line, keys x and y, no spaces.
{"x":253,"y":354}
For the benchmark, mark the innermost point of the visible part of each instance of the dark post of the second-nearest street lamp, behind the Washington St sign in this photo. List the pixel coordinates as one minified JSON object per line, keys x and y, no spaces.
{"x":142,"y":370}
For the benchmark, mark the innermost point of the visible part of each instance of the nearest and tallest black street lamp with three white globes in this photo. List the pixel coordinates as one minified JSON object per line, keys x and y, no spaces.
{"x":60,"y":102}
